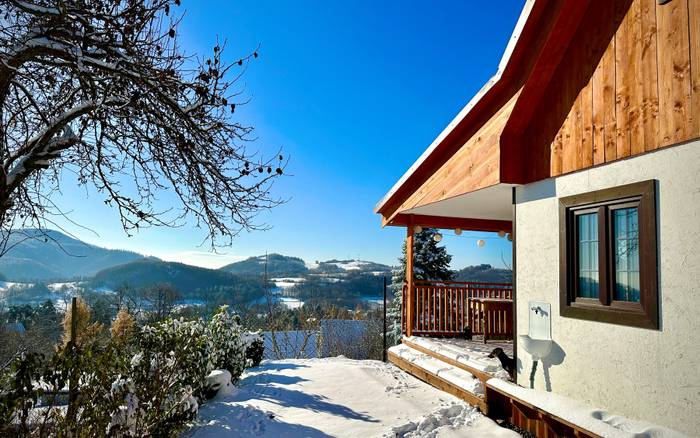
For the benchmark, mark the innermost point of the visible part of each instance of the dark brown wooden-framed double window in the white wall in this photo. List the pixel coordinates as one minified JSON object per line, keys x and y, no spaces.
{"x":608,"y":256}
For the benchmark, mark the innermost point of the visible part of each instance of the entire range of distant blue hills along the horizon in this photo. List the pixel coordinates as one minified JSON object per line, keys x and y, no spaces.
{"x":62,"y":258}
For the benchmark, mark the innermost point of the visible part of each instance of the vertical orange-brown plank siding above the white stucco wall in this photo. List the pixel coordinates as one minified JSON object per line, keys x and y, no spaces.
{"x":628,"y":83}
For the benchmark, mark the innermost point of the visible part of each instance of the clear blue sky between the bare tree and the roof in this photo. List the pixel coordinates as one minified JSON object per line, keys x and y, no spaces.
{"x":353,"y":92}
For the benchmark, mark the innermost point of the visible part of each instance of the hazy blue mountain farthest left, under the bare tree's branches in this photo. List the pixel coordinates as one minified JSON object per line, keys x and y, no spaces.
{"x":59,"y":257}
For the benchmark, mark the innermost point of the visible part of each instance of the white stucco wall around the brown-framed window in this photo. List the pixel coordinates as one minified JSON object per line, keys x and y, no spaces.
{"x":652,"y":375}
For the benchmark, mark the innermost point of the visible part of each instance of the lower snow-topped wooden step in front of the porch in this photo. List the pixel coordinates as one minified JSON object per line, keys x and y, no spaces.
{"x":441,"y":375}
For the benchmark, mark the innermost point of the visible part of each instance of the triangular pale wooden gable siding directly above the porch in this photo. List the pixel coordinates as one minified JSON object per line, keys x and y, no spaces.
{"x":474,"y":166}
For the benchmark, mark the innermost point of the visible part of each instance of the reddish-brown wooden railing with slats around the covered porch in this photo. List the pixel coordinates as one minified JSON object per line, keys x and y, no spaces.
{"x":447,"y":308}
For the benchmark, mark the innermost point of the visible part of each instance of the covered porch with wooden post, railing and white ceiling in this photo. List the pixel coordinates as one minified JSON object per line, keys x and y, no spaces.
{"x":473,"y":310}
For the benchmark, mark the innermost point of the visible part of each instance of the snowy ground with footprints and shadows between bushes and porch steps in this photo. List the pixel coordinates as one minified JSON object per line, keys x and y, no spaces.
{"x":338,"y":397}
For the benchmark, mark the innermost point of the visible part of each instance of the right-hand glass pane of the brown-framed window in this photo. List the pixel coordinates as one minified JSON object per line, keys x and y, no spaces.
{"x":626,"y":244}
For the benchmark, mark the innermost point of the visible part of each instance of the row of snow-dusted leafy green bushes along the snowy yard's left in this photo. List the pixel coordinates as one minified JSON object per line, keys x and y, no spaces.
{"x":149,"y":384}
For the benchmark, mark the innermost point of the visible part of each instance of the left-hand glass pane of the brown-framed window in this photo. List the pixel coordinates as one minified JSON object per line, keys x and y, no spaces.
{"x":587,"y":232}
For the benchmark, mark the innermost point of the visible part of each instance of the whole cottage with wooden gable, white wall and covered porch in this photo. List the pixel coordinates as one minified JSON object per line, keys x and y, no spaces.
{"x":585,"y":148}
